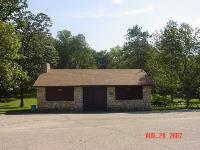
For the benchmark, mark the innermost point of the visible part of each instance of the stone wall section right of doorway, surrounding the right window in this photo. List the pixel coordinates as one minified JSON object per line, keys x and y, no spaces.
{"x":128,"y":105}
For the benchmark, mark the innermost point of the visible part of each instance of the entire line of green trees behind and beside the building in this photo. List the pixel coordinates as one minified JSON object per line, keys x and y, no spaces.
{"x":170,"y":56}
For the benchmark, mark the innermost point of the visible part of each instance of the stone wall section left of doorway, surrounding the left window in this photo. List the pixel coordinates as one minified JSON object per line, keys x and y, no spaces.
{"x":76,"y":105}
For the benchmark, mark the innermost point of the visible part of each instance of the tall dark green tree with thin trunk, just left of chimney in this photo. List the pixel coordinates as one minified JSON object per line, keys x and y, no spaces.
{"x":37,"y":47}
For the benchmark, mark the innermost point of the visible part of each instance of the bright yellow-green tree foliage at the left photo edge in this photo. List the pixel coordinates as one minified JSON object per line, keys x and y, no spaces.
{"x":11,"y":73}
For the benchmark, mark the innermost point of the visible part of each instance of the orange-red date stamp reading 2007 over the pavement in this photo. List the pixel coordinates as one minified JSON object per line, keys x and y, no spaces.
{"x":163,"y":135}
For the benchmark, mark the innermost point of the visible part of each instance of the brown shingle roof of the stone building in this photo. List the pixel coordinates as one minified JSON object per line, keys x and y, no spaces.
{"x":84,"y":77}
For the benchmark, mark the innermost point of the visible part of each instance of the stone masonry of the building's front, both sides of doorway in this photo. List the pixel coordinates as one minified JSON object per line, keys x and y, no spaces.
{"x":112,"y":103}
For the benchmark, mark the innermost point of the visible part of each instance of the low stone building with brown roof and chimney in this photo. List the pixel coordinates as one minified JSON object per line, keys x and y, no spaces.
{"x":93,"y":90}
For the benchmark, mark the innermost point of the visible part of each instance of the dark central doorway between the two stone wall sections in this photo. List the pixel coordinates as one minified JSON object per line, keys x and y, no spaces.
{"x":95,"y":98}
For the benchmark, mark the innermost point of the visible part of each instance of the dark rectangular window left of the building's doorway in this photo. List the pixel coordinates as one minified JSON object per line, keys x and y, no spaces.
{"x":60,"y":93}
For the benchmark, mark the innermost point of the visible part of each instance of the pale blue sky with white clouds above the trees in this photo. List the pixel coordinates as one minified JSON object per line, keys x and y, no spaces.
{"x":104,"y":23}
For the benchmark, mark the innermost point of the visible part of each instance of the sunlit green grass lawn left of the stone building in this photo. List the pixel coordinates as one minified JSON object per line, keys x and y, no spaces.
{"x":13,"y":105}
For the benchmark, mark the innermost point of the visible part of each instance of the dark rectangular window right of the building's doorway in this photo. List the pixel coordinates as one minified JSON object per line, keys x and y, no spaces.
{"x":128,"y":92}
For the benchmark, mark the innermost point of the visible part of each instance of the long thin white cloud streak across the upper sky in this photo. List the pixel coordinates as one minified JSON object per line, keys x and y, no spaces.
{"x":102,"y":12}
